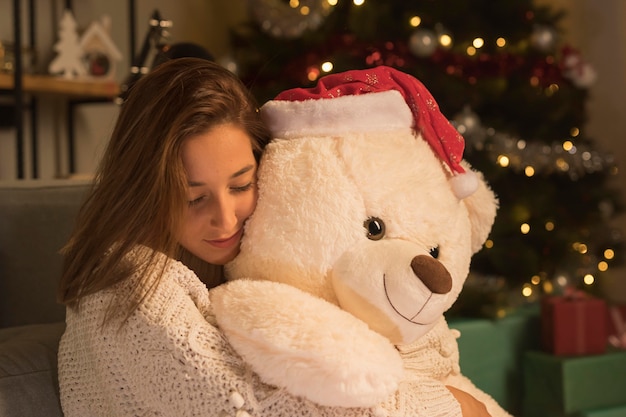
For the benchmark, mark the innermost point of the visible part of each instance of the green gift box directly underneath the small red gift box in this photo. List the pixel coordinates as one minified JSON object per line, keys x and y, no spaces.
{"x":566,"y":386}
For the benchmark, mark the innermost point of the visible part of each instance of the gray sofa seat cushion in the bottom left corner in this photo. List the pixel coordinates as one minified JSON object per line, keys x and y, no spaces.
{"x":28,"y":370}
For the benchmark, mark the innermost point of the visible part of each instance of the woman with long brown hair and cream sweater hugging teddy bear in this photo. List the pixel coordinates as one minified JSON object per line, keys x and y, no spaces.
{"x":167,"y":209}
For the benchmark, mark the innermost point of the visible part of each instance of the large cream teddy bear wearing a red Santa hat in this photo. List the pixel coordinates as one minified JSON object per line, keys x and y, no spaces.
{"x":362,"y":237}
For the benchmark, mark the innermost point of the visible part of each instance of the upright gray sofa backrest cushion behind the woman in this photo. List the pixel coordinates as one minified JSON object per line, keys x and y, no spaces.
{"x":36,"y":219}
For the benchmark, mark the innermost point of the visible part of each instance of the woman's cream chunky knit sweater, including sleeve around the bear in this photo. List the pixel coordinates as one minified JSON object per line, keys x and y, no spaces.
{"x":170,"y":359}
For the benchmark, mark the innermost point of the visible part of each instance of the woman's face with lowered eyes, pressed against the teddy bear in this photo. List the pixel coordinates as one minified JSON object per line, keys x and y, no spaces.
{"x":221,"y":192}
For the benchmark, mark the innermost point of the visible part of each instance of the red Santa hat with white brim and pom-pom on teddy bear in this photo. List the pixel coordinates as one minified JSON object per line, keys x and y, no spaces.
{"x":375,"y":99}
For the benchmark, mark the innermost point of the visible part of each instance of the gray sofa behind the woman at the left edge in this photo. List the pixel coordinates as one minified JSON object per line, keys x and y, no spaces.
{"x":36,"y":219}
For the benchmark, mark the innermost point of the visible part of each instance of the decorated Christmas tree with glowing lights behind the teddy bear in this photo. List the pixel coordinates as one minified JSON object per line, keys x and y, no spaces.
{"x":501,"y":74}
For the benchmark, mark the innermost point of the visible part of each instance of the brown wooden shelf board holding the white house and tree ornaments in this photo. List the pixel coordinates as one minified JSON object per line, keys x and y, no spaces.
{"x":45,"y":84}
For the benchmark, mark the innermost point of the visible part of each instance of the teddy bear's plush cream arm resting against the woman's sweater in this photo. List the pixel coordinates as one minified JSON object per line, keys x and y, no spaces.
{"x":306,"y":345}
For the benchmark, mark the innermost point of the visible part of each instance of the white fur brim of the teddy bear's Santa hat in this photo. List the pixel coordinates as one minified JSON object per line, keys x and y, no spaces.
{"x":376,"y":111}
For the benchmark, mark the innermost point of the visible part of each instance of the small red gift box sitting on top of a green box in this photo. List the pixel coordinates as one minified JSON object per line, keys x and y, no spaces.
{"x":574,"y":325}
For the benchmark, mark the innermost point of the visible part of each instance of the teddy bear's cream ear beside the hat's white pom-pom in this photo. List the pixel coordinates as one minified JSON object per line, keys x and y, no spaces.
{"x":481,"y":206}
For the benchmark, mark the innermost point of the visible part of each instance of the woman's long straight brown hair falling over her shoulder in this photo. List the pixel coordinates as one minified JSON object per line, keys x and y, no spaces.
{"x":138,"y":194}
